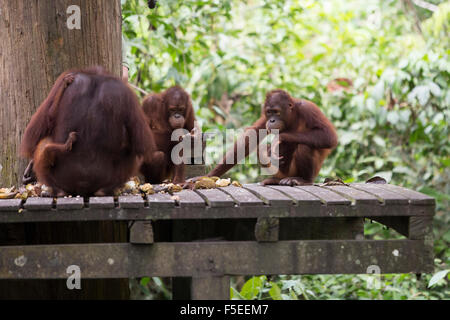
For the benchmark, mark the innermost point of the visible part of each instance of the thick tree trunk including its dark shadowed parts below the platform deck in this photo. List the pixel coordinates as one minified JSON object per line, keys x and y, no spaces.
{"x":36,"y":46}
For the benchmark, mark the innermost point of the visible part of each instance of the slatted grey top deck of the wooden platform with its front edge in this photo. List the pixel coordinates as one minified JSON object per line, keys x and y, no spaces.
{"x":252,"y":201}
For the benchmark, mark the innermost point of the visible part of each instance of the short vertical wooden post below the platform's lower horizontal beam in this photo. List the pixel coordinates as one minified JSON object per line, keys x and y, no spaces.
{"x":210,"y":288}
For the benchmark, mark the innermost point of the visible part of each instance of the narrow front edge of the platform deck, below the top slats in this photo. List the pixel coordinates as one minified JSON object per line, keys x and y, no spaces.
{"x":237,"y":212}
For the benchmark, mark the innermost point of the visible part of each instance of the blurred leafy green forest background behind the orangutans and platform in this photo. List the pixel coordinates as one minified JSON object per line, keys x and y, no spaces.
{"x":379,"y":69}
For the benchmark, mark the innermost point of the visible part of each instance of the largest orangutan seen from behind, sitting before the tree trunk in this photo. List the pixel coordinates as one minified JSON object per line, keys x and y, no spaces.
{"x":89,"y":135}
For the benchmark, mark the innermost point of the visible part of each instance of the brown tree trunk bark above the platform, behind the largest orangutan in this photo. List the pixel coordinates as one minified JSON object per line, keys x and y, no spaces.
{"x":36,"y":46}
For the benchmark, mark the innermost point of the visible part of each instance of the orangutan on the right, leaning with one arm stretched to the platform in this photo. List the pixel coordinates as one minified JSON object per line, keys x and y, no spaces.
{"x":306,"y":138}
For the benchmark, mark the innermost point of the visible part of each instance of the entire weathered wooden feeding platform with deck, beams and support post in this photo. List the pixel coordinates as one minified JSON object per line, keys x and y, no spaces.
{"x":209,"y":235}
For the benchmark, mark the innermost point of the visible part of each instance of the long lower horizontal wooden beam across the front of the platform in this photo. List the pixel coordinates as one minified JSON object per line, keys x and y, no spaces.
{"x":192,"y":259}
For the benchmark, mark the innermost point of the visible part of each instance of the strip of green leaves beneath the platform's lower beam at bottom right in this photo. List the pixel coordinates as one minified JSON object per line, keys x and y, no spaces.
{"x":337,"y":287}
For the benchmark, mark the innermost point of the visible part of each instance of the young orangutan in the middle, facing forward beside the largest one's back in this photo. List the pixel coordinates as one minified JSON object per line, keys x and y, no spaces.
{"x":166,"y":112}
